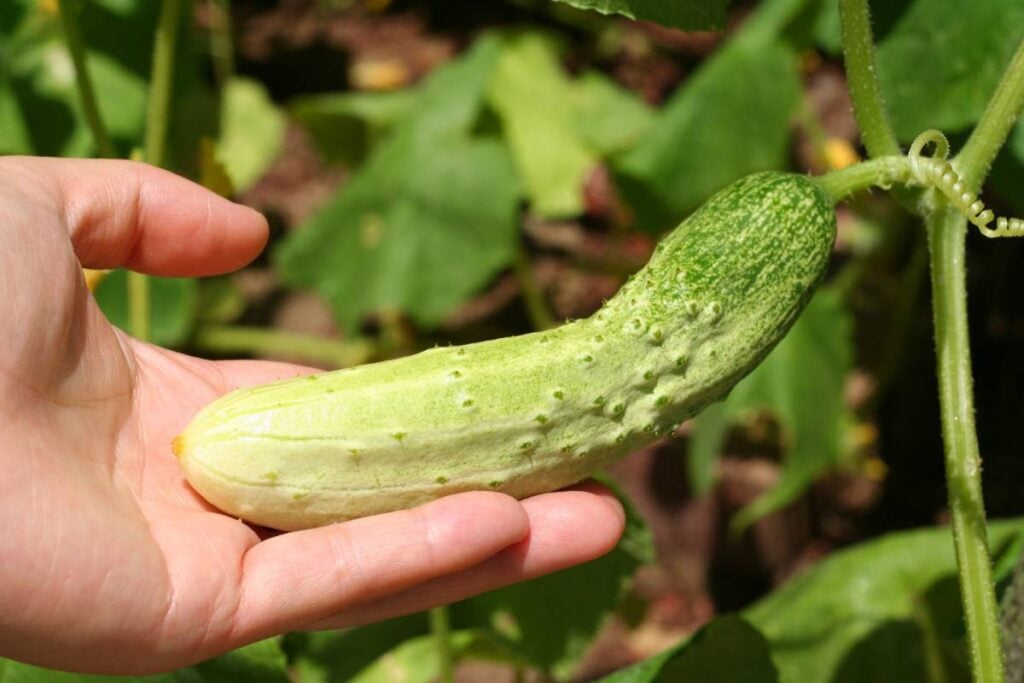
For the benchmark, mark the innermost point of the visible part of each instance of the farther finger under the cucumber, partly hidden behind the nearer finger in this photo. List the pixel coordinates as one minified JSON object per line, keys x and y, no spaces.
{"x":567,"y":529}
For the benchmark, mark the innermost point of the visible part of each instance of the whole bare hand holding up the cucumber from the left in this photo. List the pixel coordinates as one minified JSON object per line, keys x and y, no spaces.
{"x":109,"y":562}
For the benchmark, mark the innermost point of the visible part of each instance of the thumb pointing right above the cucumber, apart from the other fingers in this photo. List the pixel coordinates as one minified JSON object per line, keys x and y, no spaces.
{"x":127,"y":215}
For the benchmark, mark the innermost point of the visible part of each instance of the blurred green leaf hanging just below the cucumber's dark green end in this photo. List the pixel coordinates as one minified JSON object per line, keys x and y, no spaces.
{"x":801,"y":382}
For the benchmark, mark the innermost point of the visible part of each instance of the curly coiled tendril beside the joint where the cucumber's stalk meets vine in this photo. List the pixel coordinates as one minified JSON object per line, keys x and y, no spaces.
{"x":938,"y":174}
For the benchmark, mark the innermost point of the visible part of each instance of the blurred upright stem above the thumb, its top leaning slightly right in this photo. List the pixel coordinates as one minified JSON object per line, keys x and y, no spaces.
{"x":161,"y":80}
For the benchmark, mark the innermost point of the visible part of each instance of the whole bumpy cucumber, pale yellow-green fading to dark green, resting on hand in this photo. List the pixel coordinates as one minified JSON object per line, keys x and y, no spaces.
{"x":531,"y":414}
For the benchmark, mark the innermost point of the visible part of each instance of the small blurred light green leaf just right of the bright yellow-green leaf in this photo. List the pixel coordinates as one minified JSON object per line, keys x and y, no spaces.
{"x":609,"y":118}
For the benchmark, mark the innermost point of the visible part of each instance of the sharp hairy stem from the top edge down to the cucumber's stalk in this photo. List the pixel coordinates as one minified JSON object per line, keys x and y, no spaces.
{"x":862,"y":74}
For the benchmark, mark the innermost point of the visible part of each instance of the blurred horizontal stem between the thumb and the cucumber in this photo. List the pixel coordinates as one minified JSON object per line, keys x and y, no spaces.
{"x":261,"y":340}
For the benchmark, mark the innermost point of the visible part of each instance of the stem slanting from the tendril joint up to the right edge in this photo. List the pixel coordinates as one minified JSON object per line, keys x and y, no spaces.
{"x":998,"y":120}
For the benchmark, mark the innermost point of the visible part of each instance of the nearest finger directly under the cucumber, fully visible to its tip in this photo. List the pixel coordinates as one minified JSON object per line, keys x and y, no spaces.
{"x":303,"y":578}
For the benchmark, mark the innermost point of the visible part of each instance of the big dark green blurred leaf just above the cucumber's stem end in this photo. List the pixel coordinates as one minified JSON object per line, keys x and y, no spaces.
{"x":732,"y":118}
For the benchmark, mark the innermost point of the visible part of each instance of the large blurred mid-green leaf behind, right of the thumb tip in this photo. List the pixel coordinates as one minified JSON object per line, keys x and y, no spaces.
{"x":428,"y":222}
